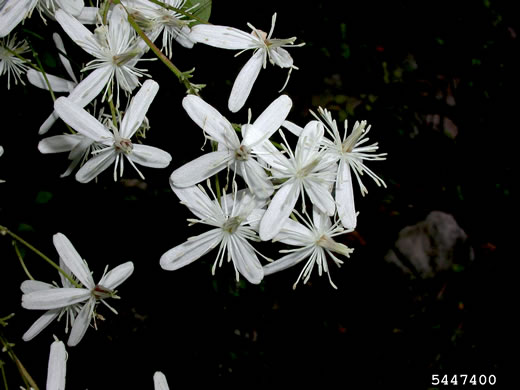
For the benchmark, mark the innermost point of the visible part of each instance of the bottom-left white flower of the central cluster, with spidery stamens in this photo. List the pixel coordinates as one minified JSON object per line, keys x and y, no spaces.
{"x":230,"y":233}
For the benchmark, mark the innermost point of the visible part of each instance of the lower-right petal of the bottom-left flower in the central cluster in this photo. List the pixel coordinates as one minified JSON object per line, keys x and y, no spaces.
{"x":245,"y":259}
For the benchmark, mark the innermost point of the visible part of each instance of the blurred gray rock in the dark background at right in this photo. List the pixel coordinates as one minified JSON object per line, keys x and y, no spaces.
{"x":431,"y":246}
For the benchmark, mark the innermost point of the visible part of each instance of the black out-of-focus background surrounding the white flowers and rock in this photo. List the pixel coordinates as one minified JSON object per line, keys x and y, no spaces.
{"x":400,"y":65}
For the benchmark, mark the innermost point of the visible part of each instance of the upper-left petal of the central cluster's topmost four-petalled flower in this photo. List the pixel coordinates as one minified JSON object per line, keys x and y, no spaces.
{"x":211,"y":121}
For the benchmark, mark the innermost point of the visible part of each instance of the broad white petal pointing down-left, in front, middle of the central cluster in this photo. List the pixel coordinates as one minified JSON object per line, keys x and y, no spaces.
{"x":279,"y":210}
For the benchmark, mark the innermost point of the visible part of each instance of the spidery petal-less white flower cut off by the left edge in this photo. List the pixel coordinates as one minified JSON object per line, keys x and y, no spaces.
{"x":11,"y":64}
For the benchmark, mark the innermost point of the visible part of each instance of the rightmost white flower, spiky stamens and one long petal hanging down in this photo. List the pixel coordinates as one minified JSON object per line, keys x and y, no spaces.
{"x":351,"y":153}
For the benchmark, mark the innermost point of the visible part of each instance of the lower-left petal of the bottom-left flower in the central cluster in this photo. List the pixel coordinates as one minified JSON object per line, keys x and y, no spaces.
{"x":191,"y":250}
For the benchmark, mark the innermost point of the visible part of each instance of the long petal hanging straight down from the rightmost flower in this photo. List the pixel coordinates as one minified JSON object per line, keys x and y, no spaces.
{"x":345,"y":196}
